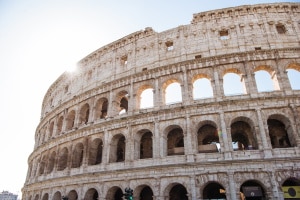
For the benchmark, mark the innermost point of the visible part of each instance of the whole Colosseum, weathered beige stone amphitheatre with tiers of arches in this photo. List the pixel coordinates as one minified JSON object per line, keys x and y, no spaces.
{"x":179,"y":114}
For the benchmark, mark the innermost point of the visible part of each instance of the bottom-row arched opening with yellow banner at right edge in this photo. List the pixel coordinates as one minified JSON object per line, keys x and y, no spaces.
{"x":291,"y":188}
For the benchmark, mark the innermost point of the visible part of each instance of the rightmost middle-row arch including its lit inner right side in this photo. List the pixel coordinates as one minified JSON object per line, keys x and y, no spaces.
{"x":280,"y":131}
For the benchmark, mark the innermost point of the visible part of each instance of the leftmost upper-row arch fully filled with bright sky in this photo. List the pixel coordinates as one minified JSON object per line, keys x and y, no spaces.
{"x":145,"y":97}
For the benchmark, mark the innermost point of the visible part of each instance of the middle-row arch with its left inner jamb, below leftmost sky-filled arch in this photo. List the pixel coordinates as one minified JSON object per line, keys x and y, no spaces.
{"x":145,"y":144}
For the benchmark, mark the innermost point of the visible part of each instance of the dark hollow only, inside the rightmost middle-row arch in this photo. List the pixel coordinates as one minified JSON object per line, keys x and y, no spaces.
{"x":278,"y":133}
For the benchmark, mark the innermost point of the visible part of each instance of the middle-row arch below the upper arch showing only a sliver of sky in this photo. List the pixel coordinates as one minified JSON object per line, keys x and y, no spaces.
{"x":117,"y":148}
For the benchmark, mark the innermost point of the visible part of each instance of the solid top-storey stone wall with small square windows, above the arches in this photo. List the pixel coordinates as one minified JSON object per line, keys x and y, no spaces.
{"x":210,"y":34}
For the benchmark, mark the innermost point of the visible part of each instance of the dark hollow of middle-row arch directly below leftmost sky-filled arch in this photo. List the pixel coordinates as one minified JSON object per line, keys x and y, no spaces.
{"x":146,"y":150}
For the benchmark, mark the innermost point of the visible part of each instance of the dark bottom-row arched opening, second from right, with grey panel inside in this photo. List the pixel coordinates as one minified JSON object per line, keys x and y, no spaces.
{"x":251,"y":190}
